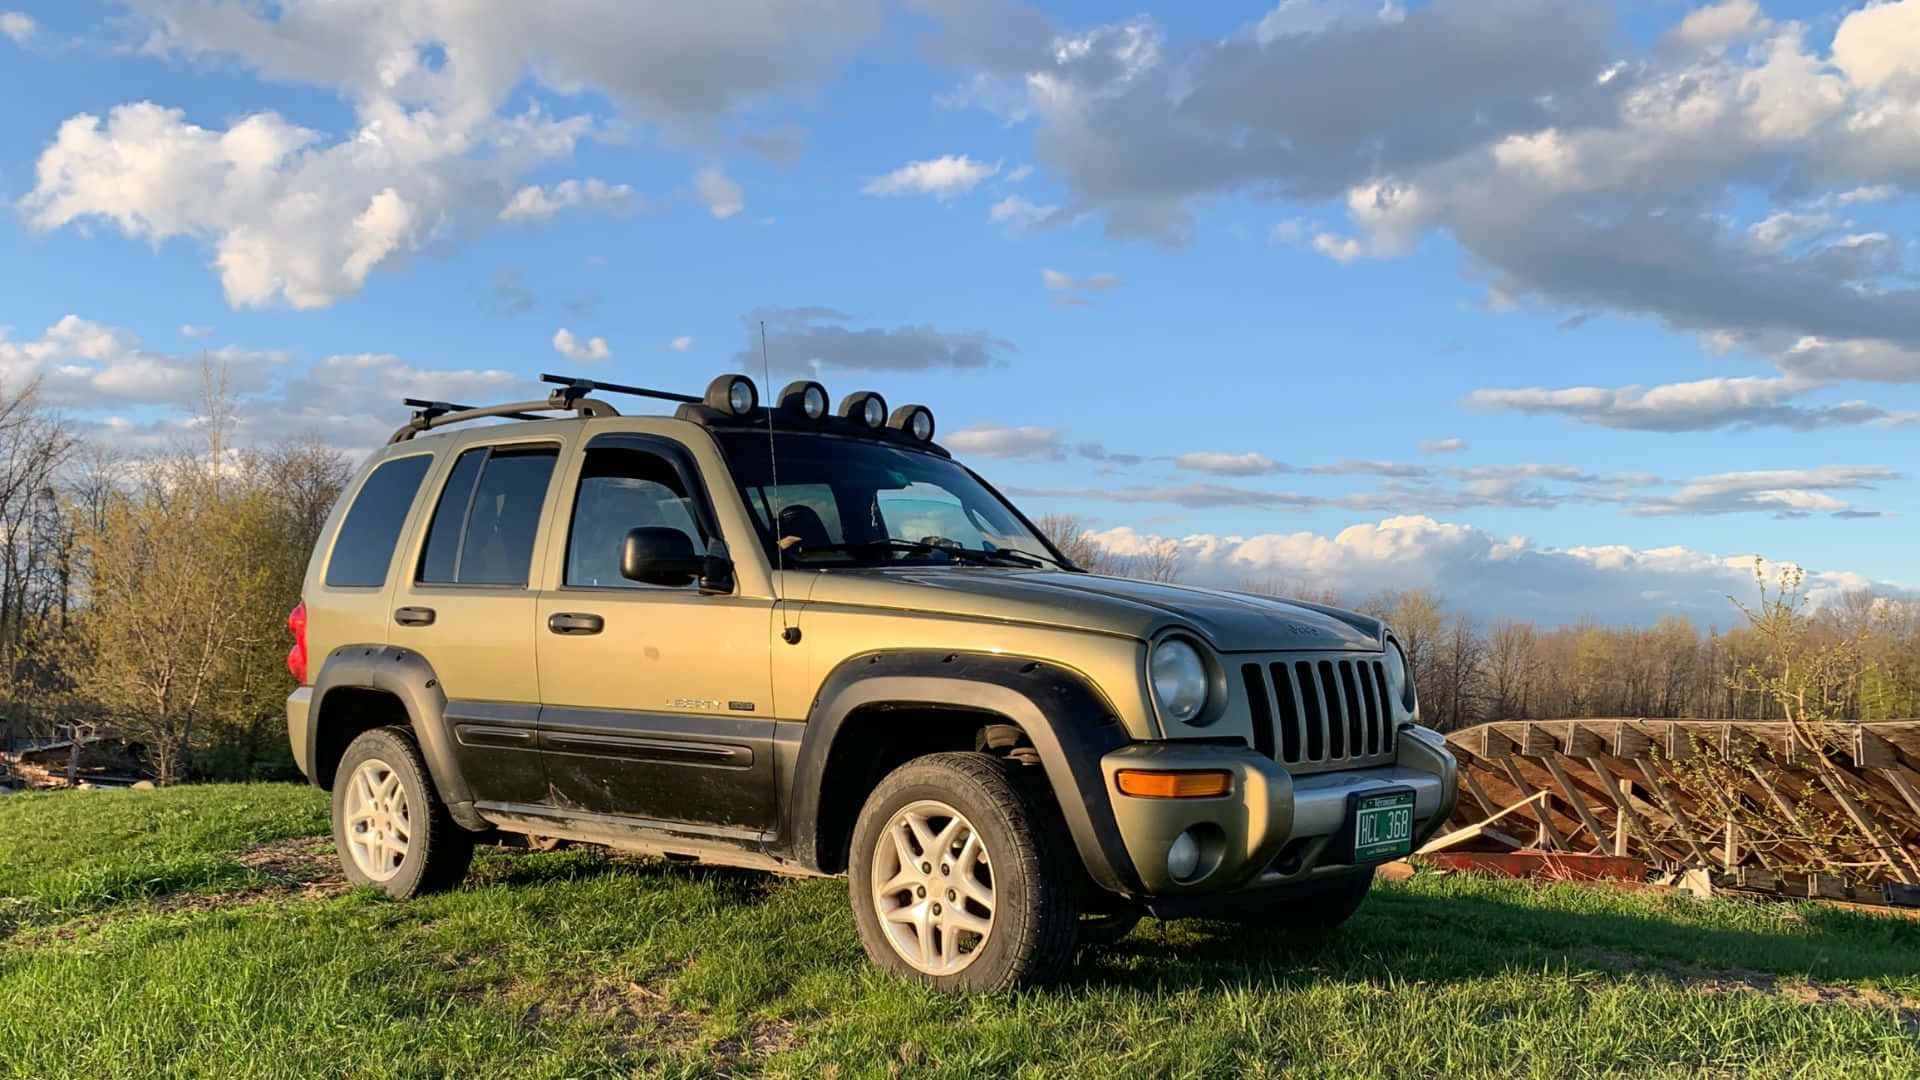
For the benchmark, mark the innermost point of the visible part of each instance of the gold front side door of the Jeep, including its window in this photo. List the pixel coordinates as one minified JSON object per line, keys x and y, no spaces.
{"x":658,"y":702}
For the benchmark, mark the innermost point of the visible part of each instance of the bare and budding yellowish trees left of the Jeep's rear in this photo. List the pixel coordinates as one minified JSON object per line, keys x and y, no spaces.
{"x":145,"y":597}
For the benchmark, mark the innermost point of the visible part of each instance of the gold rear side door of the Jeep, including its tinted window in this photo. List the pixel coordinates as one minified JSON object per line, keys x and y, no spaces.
{"x":468,"y":606}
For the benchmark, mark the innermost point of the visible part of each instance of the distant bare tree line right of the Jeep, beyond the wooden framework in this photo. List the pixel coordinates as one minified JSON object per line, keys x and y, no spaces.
{"x":1858,"y":658}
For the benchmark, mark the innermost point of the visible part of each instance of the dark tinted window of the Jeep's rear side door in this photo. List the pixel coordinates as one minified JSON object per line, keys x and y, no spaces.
{"x":489,"y":516}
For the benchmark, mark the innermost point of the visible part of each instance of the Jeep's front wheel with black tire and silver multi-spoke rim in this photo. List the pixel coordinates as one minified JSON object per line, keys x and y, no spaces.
{"x":959,"y":877}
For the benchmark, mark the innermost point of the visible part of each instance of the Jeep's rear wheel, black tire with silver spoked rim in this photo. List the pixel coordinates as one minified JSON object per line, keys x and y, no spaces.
{"x":391,"y":827}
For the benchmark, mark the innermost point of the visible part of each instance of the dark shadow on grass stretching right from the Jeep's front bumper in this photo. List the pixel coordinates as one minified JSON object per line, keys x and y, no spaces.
{"x":1449,"y":939}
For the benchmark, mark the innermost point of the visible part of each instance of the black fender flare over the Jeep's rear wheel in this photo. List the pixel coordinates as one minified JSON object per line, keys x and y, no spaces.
{"x":414,"y":683}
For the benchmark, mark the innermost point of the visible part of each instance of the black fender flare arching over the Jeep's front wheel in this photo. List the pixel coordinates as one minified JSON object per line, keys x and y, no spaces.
{"x":1070,"y":724}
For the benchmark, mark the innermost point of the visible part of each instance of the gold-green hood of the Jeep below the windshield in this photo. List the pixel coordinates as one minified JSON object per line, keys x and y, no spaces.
{"x":1230,"y":622}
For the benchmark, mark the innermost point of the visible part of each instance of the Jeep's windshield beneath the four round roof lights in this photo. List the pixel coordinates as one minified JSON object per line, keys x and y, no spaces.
{"x":846,"y":503}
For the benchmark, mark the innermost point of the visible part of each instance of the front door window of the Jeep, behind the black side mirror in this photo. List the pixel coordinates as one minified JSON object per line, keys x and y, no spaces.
{"x":619,"y":491}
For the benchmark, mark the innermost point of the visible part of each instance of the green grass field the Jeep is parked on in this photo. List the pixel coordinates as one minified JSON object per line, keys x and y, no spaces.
{"x":203,"y":933}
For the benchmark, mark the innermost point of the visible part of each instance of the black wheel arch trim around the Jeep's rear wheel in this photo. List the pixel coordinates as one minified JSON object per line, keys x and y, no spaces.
{"x":372,"y":687}
